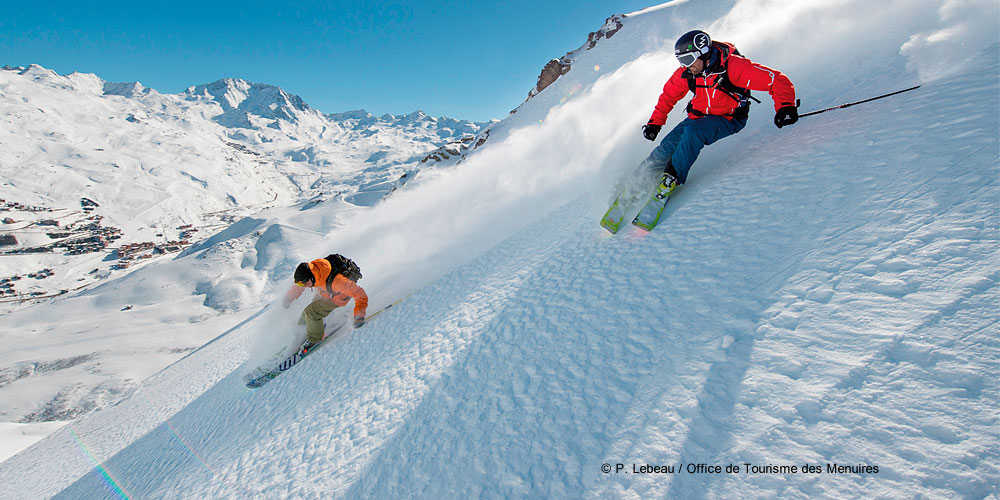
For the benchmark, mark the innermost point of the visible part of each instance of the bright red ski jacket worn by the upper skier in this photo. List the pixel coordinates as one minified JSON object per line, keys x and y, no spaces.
{"x":709,"y":99}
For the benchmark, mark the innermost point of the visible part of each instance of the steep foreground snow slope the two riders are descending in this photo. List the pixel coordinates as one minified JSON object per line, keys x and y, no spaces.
{"x":823,"y":294}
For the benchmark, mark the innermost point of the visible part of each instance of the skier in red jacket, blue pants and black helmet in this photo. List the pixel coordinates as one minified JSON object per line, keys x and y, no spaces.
{"x":721,"y":81}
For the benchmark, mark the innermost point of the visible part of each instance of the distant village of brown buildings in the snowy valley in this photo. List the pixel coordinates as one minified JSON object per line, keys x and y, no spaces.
{"x":79,"y":236}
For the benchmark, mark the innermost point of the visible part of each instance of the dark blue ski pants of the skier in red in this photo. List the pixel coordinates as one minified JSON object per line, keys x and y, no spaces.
{"x":683,"y":144}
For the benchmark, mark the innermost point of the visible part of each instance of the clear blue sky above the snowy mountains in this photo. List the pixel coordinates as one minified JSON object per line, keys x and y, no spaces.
{"x":471,"y":59}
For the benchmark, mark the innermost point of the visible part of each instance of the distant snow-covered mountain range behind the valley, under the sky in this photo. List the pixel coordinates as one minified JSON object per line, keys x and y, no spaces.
{"x":98,"y":174}
